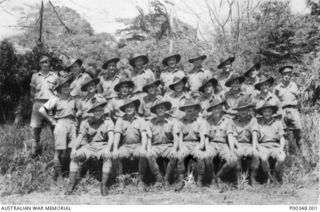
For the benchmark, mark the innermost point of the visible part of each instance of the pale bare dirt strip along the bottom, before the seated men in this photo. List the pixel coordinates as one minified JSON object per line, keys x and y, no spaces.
{"x":261,"y":194}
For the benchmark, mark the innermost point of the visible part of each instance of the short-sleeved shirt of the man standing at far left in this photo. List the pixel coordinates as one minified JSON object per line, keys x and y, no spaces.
{"x":44,"y":85}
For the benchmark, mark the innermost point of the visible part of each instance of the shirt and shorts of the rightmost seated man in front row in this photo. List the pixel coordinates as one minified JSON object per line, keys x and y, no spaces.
{"x":269,"y":140}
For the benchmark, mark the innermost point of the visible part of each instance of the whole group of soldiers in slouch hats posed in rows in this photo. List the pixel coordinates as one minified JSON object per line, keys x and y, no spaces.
{"x":166,"y":123}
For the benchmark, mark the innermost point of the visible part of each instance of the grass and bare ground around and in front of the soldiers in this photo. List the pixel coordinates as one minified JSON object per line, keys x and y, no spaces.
{"x":25,"y":181}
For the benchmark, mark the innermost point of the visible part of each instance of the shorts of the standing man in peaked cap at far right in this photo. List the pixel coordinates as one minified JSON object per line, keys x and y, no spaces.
{"x":292,"y":118}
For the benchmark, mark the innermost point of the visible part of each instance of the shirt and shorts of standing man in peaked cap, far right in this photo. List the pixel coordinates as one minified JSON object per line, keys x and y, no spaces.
{"x":289,"y":101}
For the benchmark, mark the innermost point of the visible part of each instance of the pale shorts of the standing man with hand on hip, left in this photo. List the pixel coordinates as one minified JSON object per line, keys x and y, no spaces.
{"x":65,"y":134}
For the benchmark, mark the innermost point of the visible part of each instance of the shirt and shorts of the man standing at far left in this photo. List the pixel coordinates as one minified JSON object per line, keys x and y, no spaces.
{"x":43,"y":86}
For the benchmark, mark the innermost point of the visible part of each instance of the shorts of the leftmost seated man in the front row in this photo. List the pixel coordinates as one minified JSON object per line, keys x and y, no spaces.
{"x":93,"y":150}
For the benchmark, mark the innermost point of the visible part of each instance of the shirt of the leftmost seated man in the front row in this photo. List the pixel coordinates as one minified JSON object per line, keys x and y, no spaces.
{"x":88,"y":134}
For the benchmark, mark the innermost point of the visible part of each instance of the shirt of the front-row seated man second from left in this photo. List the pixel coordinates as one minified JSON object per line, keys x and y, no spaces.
{"x":131,"y":130}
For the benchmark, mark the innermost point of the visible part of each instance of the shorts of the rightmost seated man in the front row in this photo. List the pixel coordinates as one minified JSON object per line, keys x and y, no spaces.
{"x":271,"y":149}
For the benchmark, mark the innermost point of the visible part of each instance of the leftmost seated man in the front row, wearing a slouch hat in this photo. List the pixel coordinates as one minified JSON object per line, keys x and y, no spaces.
{"x":94,"y":140}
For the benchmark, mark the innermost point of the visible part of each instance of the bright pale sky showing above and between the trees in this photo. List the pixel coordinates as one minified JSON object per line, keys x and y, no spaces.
{"x":102,"y":14}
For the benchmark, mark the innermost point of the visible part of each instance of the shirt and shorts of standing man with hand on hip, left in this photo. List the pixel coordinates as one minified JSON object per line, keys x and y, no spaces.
{"x":65,"y":129}
